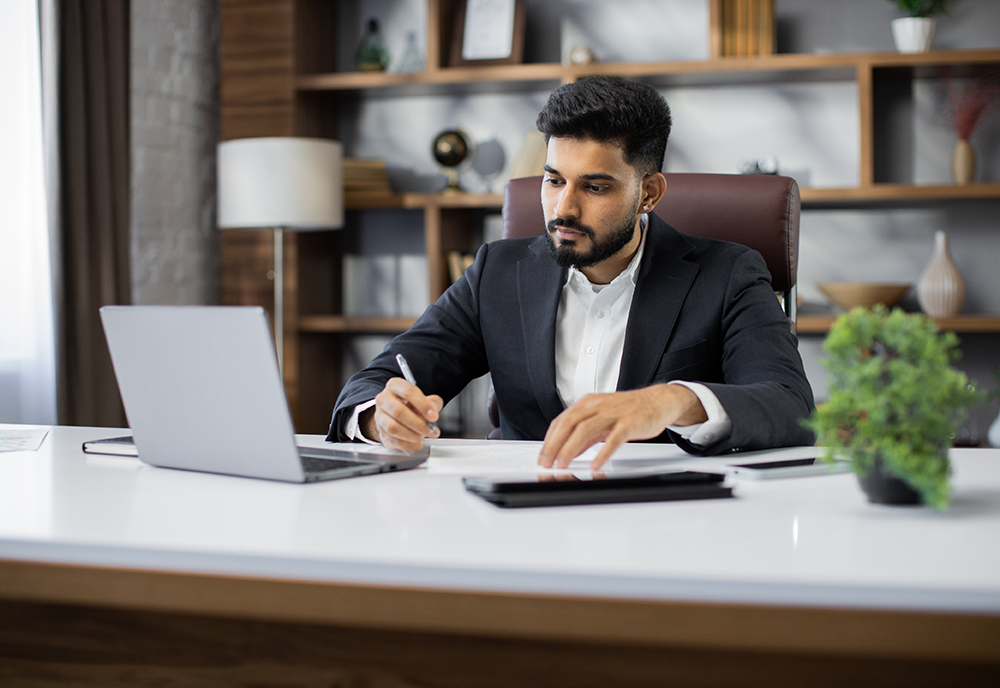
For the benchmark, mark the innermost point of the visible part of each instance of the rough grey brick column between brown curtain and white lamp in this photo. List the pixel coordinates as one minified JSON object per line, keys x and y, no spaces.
{"x":175,"y":129}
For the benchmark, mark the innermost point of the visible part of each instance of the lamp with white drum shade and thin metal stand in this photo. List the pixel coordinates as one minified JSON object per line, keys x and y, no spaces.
{"x":280,"y":183}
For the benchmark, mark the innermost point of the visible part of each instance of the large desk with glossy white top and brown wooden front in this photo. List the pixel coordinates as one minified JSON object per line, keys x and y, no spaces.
{"x":789,"y":569}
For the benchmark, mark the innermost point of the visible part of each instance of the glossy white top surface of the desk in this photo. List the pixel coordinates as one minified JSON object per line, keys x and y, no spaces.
{"x":807,"y":541}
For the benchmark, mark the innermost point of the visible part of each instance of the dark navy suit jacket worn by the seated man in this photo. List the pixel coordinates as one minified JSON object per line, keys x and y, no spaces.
{"x":703,"y":311}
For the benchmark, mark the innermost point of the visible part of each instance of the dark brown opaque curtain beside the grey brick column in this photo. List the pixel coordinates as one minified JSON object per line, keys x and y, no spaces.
{"x":92,"y":227}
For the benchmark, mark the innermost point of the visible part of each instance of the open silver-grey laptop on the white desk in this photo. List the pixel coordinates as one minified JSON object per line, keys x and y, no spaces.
{"x":202,"y":392}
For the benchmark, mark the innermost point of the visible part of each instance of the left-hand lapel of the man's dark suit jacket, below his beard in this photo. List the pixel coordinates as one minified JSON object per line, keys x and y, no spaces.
{"x":539,"y":287}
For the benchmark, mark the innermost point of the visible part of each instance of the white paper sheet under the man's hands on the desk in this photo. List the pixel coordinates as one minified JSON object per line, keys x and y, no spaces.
{"x":491,"y":458}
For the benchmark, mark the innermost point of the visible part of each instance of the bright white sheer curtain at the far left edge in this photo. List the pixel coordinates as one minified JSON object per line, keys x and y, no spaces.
{"x":27,"y":358}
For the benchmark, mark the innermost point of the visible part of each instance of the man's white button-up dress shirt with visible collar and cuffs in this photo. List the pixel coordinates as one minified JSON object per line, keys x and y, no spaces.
{"x":590,"y":337}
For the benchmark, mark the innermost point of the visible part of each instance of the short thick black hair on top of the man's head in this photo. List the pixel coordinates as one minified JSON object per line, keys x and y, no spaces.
{"x":608,"y":109}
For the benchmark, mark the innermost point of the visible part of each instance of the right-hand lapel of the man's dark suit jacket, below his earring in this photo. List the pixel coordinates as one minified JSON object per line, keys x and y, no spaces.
{"x":663,"y":284}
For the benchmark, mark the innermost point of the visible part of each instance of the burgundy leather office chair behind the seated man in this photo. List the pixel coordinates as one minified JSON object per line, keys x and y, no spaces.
{"x":758,"y":210}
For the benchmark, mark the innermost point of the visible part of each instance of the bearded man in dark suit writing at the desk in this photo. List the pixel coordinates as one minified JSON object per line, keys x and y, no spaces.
{"x":612,"y":326}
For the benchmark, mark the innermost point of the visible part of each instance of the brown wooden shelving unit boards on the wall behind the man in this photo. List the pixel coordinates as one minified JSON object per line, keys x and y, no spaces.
{"x":279,"y":78}
